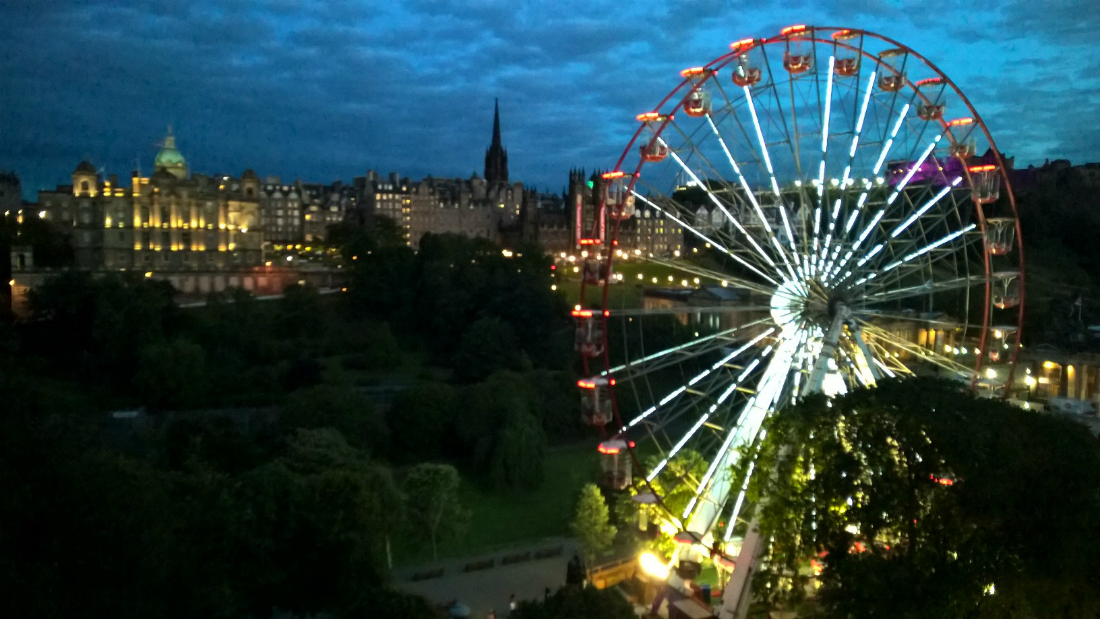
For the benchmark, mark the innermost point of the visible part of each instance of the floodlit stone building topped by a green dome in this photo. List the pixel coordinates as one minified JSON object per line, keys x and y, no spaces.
{"x":170,"y":222}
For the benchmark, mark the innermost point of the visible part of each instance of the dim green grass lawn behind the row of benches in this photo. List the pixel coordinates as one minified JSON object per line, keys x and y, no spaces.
{"x":503,"y":518}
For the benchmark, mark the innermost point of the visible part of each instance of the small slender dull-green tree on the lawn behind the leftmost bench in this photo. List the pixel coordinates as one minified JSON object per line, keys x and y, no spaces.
{"x":432,"y":504}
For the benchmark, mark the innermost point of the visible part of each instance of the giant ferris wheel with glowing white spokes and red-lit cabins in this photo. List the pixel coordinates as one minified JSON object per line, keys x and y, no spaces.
{"x":848,"y":218}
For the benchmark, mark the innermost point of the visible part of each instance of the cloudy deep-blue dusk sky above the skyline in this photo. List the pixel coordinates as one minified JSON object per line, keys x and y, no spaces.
{"x":326,"y":90}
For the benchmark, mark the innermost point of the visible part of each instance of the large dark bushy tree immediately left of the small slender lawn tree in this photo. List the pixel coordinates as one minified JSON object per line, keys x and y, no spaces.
{"x":316,"y":523}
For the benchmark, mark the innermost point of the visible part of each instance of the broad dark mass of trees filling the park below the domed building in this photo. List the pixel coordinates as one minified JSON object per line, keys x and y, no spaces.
{"x":200,"y":515}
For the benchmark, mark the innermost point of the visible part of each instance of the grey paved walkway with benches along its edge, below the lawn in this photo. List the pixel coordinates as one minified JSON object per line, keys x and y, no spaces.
{"x":490,"y":589}
